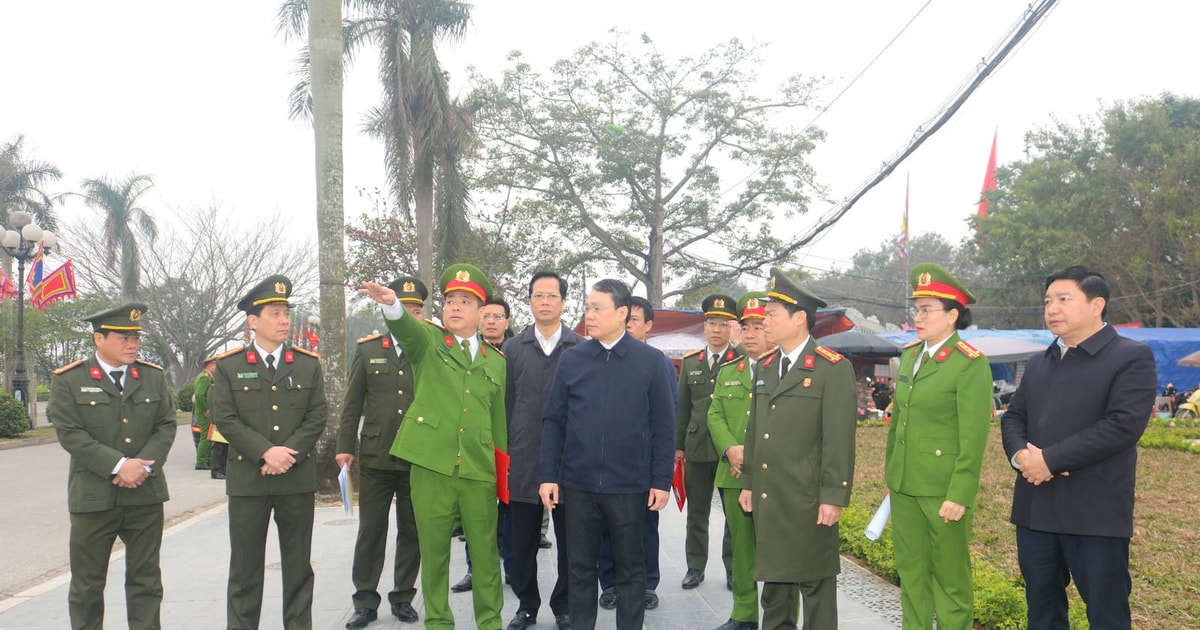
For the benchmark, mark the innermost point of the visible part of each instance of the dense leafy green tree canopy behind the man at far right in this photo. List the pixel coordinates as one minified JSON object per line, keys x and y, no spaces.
{"x":1119,"y":193}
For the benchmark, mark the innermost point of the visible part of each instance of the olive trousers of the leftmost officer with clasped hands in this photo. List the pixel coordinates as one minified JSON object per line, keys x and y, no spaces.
{"x":140,"y":527}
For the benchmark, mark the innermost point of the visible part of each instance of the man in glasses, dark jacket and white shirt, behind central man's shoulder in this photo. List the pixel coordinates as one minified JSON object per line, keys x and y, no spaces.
{"x":533,"y":357}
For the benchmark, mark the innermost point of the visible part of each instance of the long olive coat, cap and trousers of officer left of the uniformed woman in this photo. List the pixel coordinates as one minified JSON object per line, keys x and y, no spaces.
{"x":800,"y":454}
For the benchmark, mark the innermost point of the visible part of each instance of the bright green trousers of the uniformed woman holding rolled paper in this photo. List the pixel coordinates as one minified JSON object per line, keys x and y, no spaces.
{"x":934,"y":562}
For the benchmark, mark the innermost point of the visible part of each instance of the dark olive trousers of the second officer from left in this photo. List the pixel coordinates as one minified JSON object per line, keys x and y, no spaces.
{"x":249,"y":521}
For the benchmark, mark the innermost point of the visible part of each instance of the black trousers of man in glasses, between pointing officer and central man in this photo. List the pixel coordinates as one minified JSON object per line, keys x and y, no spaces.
{"x":526,"y":535}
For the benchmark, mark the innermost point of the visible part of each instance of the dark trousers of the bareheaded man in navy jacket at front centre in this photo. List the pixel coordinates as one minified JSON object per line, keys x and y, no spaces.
{"x":623,"y":518}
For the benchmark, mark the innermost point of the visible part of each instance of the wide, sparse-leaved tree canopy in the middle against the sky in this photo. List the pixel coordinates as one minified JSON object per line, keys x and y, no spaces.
{"x":622,"y":149}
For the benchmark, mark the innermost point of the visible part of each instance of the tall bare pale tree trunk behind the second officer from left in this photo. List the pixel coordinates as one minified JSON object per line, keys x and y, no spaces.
{"x":326,"y":55}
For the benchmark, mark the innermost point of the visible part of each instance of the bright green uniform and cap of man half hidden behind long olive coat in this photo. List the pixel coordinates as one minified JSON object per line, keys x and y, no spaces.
{"x":728,"y":418}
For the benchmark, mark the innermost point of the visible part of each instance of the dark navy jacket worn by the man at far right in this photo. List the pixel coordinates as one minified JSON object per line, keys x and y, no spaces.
{"x":1087,"y":411}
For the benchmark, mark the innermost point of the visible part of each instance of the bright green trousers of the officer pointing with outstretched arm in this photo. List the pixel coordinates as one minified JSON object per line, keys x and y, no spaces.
{"x":439,"y":502}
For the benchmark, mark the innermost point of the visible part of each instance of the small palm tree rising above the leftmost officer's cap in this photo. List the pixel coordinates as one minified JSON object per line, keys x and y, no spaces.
{"x":123,"y":217}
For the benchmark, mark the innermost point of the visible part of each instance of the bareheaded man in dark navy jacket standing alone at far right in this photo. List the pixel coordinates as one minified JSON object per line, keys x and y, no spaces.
{"x":1072,"y":433}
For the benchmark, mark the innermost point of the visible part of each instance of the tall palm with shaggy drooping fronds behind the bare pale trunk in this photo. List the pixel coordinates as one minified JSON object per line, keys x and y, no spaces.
{"x":419,"y":123}
